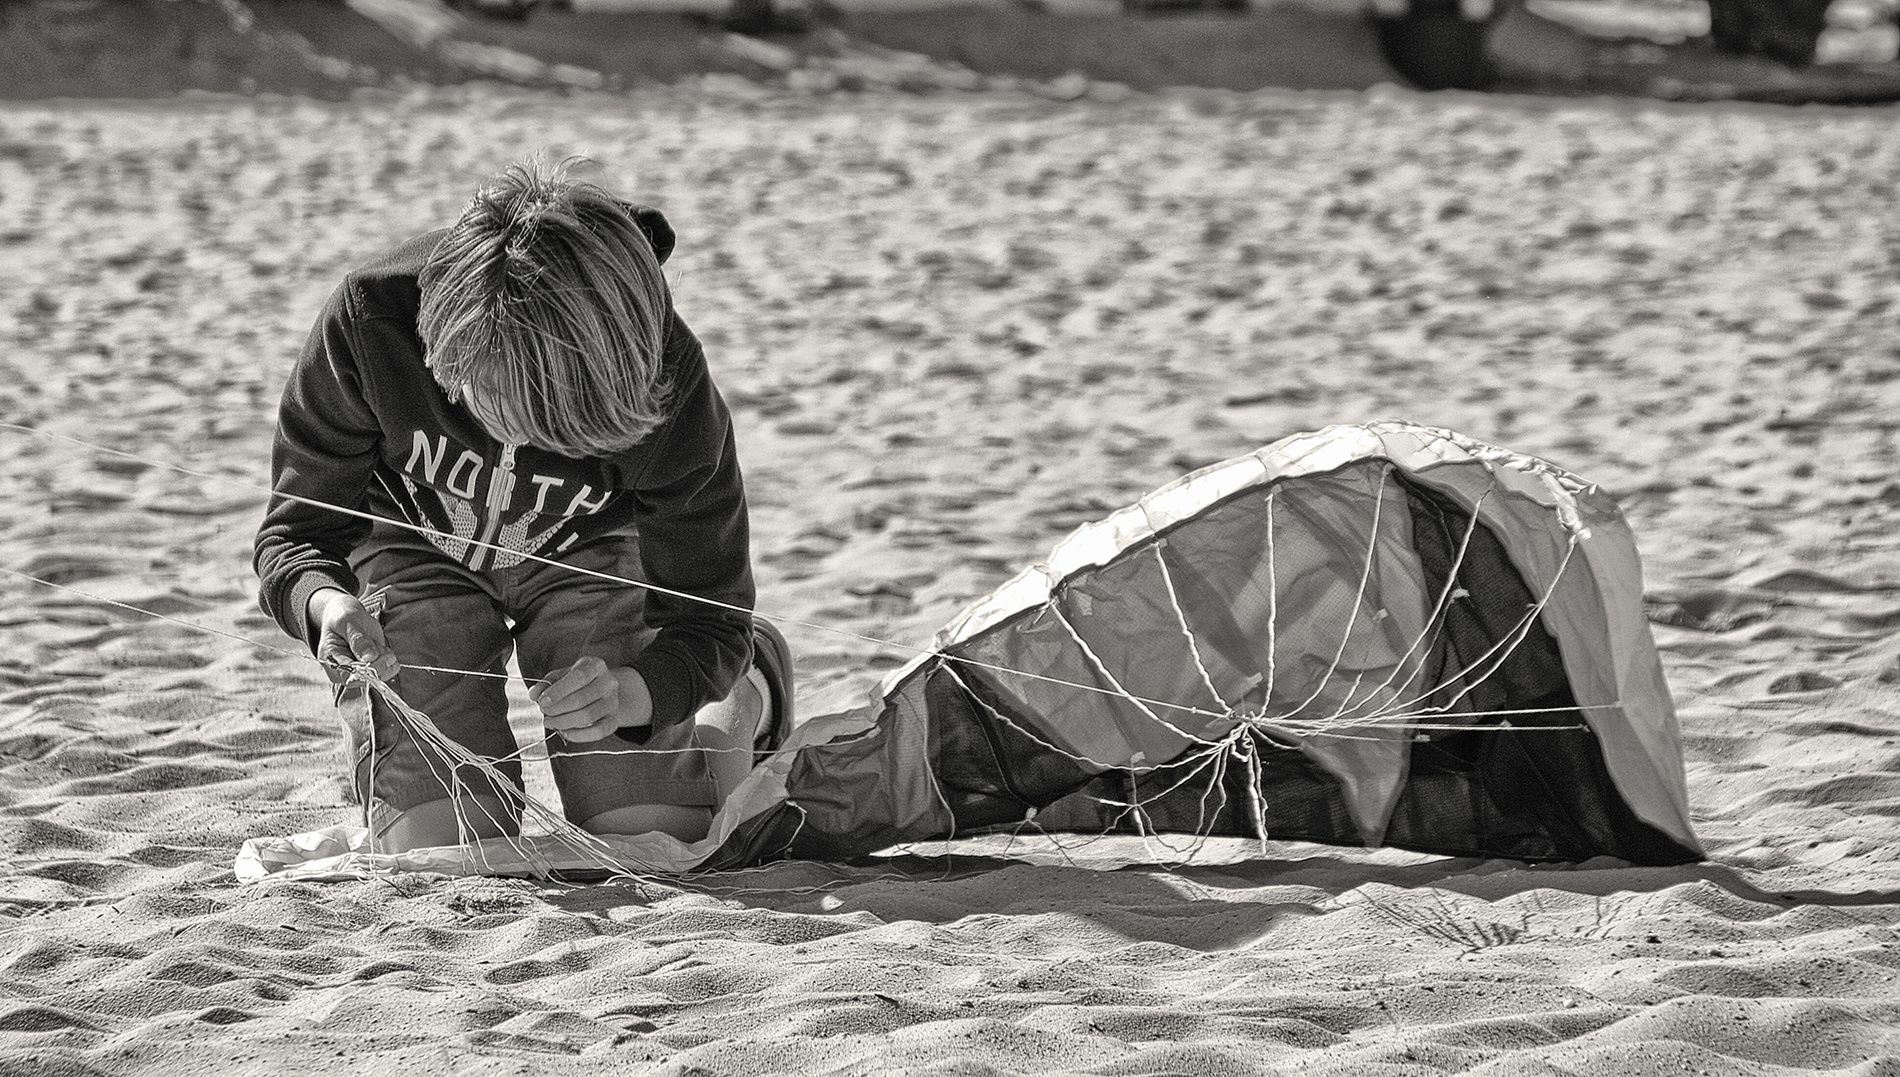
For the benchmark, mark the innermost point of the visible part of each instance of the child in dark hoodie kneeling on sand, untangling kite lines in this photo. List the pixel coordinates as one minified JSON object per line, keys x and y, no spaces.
{"x":520,"y":385}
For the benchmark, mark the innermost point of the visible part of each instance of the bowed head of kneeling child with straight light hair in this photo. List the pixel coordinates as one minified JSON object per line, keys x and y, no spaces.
{"x":546,"y":312}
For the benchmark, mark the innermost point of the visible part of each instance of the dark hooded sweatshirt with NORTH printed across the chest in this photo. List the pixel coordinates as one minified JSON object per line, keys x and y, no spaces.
{"x":366,"y":426}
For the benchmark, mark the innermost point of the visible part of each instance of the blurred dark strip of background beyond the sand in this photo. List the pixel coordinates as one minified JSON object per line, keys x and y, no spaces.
{"x":1757,"y":50}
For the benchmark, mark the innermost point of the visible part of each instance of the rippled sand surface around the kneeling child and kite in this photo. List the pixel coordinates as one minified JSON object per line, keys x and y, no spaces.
{"x":953,"y":328}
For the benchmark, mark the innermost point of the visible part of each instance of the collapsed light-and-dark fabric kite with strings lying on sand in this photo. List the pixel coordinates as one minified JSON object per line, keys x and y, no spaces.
{"x":1369,"y":635}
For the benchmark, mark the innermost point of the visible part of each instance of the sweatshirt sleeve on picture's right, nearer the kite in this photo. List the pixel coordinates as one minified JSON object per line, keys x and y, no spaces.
{"x":696,"y":540}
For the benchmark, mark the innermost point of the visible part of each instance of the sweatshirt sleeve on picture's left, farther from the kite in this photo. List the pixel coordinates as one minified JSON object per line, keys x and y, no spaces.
{"x":324,"y":451}
